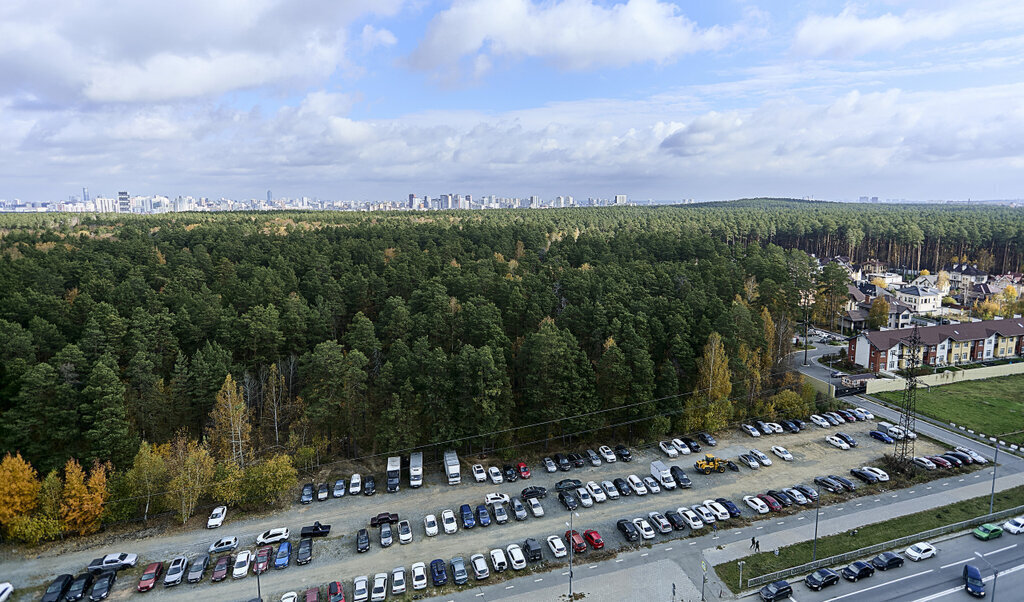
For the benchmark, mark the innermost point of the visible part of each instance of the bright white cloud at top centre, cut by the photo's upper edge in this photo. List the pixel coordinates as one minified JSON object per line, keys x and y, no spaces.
{"x":573,"y":34}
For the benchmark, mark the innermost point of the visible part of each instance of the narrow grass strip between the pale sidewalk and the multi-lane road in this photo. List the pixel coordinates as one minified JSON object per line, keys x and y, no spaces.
{"x":765,"y":563}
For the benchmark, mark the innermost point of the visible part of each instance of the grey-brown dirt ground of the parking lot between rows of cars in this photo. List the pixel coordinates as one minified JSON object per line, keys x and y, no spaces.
{"x":336,"y":558}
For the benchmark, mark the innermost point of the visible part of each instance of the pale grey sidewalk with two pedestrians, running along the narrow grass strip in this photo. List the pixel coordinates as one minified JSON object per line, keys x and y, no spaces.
{"x":840,"y":525}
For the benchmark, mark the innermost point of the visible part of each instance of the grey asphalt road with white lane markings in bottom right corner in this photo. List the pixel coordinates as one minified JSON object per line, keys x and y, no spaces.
{"x":935,"y":579}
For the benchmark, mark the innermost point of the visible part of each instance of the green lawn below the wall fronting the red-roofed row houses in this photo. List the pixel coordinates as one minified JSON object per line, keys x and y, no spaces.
{"x":993,"y":407}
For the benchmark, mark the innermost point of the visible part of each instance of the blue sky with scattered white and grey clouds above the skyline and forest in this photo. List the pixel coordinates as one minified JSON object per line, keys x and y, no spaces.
{"x":352,"y":100}
